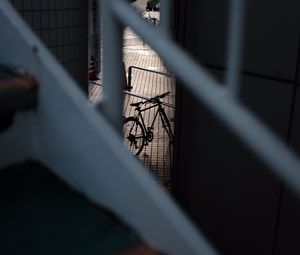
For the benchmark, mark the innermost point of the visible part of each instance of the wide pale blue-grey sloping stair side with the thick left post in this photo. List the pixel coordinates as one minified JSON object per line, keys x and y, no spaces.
{"x":71,"y":137}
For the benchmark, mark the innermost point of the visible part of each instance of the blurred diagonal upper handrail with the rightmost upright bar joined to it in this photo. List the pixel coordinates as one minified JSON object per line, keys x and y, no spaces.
{"x":221,"y":100}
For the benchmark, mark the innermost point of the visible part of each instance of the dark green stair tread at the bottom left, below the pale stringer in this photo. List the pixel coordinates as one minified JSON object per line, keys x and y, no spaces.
{"x":39,"y":214}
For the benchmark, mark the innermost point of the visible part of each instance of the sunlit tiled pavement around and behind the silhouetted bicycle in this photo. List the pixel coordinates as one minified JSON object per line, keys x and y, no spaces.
{"x":157,"y":156}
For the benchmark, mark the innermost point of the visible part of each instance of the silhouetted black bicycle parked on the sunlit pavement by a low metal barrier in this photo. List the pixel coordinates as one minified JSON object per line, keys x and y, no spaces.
{"x":136,"y":133}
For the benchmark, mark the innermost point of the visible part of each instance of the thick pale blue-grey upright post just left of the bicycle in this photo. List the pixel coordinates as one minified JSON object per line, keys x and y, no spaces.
{"x":112,"y":101}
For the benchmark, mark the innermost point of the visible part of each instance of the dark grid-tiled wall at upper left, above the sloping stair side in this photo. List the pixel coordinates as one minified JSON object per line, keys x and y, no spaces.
{"x":63,"y":26}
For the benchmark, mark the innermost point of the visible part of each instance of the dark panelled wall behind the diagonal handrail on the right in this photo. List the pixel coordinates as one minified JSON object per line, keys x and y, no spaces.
{"x":230,"y":194}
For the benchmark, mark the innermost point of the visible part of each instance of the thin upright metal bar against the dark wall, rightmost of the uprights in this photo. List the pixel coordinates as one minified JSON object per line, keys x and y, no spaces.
{"x":235,"y":43}
